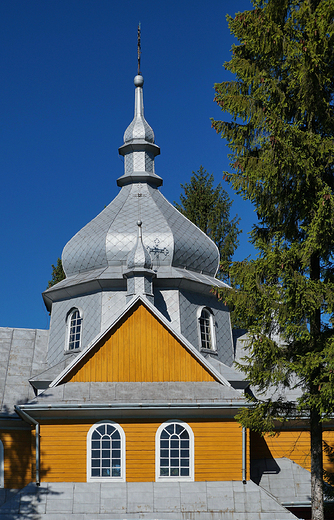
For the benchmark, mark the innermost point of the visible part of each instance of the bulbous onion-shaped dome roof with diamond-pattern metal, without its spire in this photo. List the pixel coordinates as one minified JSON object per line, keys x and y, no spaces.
{"x":171,"y":238}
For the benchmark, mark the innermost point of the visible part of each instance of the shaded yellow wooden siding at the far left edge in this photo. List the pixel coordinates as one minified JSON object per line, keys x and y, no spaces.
{"x":18,"y":458}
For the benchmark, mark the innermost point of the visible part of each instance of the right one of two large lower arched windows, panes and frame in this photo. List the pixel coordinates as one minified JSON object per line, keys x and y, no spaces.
{"x":174,"y":452}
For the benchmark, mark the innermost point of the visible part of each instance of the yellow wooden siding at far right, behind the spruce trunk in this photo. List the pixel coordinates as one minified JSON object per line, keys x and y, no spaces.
{"x":292,"y":444}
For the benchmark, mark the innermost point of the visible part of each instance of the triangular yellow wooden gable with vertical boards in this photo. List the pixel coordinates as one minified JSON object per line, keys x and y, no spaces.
{"x":140,"y":348}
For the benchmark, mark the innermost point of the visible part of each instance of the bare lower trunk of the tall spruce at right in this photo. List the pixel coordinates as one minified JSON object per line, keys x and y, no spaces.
{"x":316,"y":467}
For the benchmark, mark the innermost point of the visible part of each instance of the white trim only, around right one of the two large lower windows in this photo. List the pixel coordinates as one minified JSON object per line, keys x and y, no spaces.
{"x":191,"y":477}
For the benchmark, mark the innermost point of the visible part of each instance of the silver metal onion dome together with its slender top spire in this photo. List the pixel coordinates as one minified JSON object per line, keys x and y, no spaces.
{"x":171,"y":239}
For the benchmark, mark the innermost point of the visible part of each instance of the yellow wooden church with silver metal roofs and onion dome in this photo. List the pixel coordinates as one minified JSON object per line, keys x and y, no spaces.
{"x":126,"y":407}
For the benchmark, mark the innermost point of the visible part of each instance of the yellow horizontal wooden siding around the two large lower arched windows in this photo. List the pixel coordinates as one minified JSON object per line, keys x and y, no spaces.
{"x":218,"y":451}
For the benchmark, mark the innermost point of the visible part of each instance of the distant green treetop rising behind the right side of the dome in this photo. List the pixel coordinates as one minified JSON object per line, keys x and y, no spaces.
{"x":209,"y":208}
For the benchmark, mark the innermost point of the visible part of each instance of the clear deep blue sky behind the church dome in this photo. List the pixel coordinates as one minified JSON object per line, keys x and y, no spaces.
{"x":66,"y":97}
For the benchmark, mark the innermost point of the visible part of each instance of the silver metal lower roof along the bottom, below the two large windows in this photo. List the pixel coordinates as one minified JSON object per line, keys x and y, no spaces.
{"x":146,"y":500}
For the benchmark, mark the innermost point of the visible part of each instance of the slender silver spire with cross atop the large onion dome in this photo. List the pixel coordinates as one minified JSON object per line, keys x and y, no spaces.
{"x":139,"y":148}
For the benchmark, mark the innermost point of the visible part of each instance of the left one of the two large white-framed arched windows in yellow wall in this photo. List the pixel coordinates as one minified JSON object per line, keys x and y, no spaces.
{"x":106,"y":452}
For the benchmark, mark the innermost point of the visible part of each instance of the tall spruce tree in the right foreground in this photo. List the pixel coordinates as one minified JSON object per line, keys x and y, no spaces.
{"x":280,"y":131}
